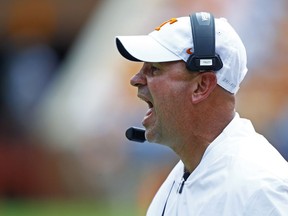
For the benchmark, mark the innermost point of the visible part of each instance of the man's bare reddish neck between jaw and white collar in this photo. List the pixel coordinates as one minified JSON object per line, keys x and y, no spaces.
{"x":204,"y":130}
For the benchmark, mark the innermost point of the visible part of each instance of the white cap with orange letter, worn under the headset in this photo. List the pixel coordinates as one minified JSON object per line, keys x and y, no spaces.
{"x":173,"y":40}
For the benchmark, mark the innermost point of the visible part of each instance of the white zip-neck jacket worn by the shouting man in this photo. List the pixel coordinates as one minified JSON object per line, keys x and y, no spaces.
{"x":240,"y":173}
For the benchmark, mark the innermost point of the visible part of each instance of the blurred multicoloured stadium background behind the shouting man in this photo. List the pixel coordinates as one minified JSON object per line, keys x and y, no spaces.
{"x":65,"y":100}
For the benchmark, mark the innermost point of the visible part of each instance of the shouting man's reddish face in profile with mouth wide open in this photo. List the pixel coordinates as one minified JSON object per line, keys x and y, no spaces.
{"x":166,"y":88}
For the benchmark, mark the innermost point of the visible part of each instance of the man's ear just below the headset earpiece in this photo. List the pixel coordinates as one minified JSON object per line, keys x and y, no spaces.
{"x":203,"y":86}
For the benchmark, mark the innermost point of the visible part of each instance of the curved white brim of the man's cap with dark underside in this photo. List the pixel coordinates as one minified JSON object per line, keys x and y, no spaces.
{"x":143,"y":48}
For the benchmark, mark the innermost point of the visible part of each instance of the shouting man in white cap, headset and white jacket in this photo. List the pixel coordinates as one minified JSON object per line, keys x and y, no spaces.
{"x":226,"y":168}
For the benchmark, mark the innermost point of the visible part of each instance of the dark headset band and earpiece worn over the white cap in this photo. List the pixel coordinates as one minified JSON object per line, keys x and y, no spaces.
{"x":203,"y":32}
